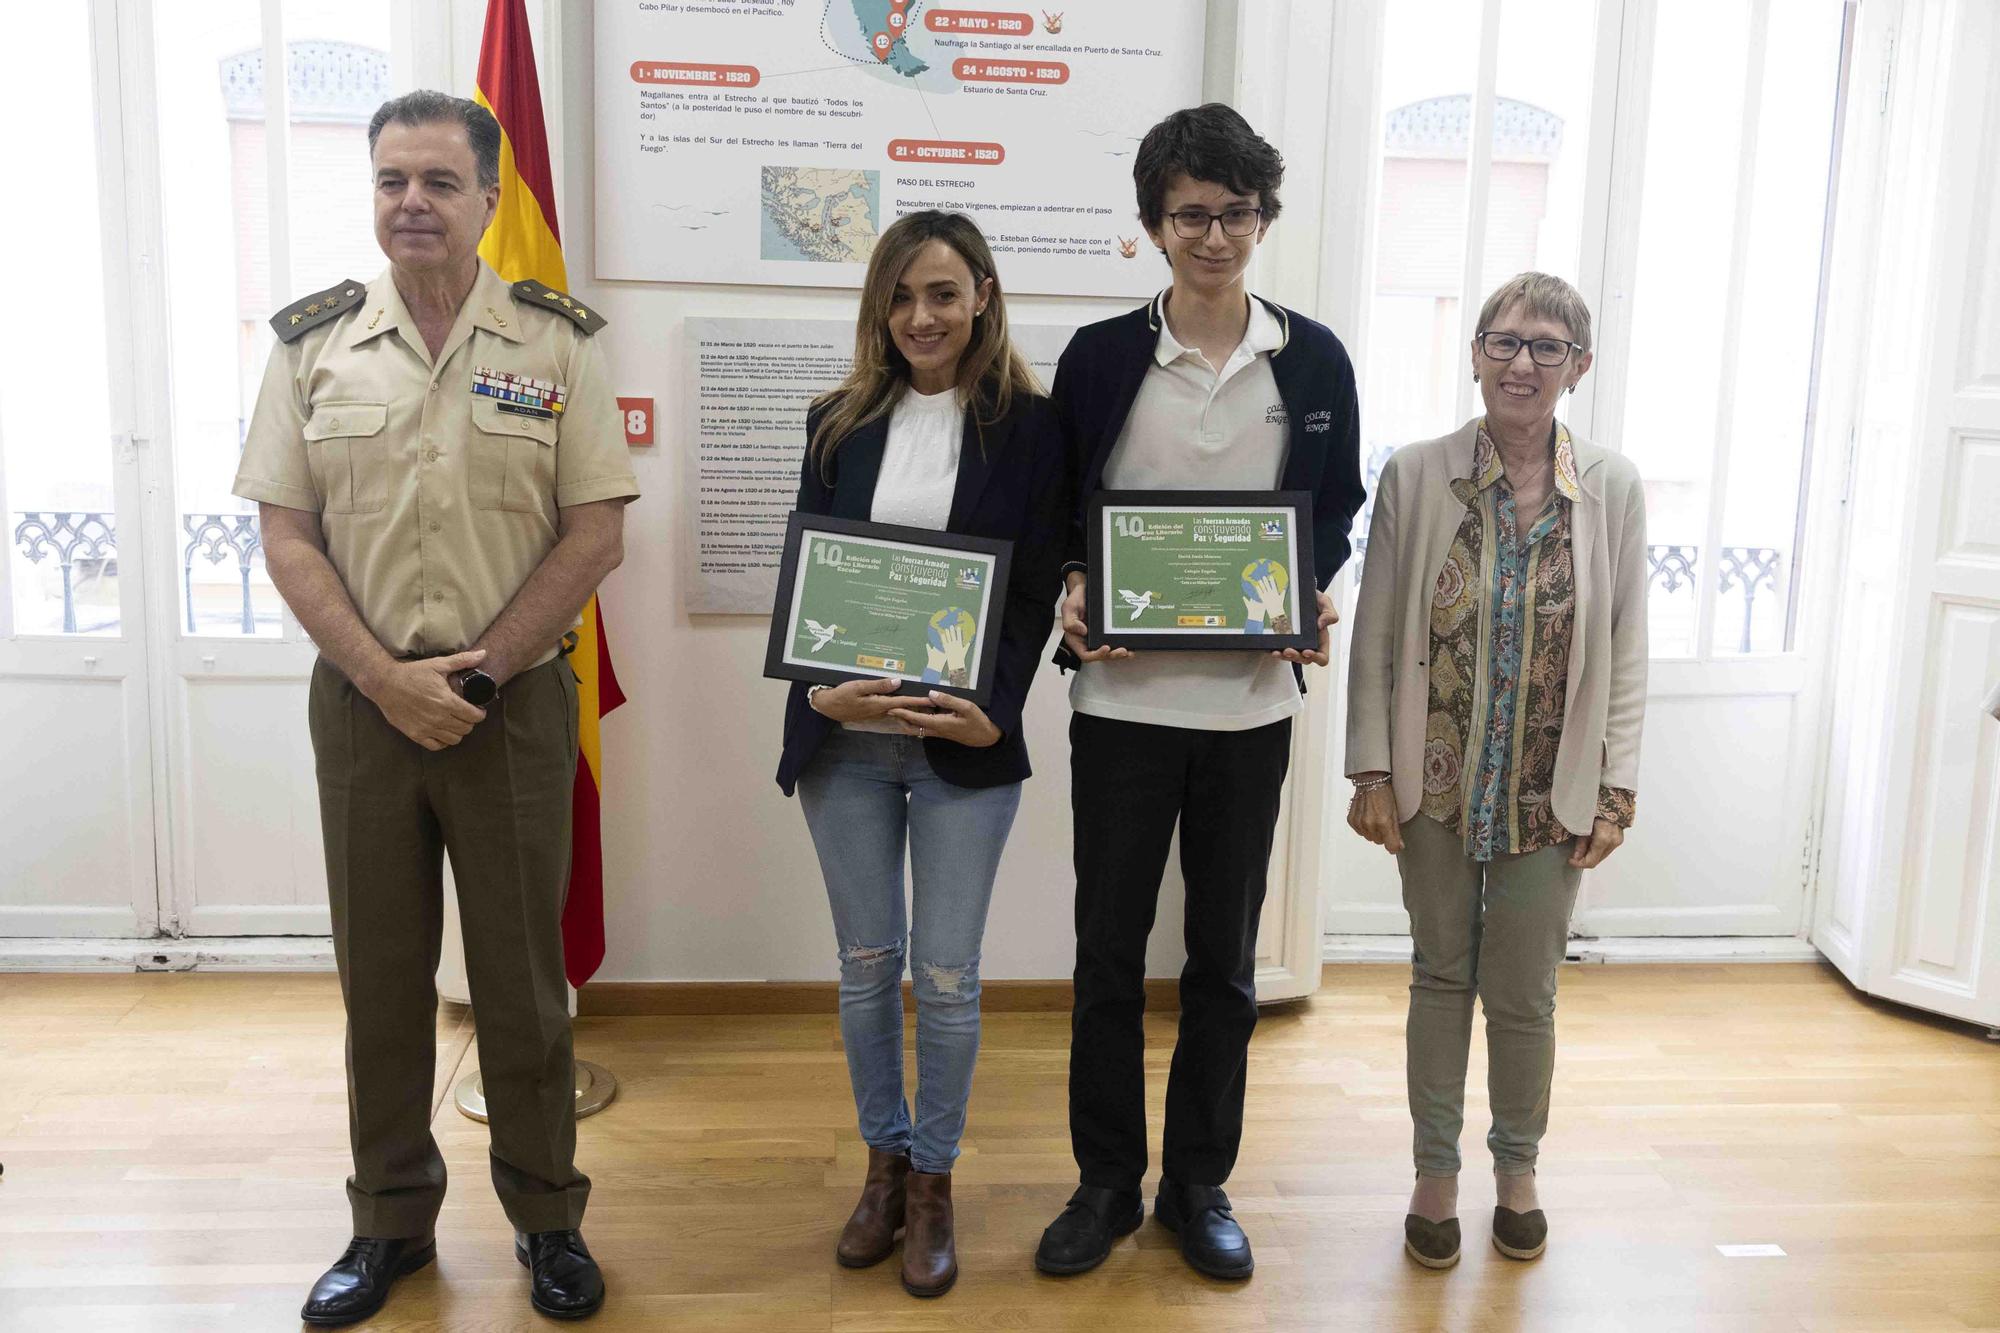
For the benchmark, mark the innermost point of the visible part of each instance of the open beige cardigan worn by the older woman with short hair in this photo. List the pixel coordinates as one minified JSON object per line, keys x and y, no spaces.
{"x":1389,"y":672}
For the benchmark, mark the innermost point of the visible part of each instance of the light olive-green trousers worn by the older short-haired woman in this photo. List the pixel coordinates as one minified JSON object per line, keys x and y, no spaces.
{"x":1497,"y":930}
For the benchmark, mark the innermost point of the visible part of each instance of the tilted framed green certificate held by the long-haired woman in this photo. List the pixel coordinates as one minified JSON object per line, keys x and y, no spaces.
{"x":871,"y":599}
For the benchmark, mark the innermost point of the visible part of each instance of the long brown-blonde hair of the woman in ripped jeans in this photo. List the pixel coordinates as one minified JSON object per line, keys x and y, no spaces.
{"x":989,"y":371}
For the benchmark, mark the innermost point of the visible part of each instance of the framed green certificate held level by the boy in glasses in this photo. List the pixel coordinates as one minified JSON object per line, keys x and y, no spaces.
{"x":1201,"y":569}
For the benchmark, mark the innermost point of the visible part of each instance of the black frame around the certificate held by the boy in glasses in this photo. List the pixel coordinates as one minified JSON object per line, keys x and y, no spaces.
{"x":1099,"y":577}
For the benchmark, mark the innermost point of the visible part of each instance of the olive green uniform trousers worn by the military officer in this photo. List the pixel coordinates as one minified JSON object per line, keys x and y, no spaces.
{"x":499,"y":804}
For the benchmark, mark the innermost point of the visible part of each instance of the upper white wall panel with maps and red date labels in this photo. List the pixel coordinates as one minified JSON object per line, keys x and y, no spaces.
{"x":771,"y":141}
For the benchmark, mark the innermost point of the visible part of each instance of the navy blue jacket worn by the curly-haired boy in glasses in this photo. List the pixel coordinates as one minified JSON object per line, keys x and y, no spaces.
{"x":1099,"y":381}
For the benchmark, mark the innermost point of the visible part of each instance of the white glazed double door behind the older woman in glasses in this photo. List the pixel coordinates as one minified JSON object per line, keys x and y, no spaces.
{"x":1685,"y":195}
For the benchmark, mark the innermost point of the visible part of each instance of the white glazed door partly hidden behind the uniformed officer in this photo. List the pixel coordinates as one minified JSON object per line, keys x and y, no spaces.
{"x":267,"y":197}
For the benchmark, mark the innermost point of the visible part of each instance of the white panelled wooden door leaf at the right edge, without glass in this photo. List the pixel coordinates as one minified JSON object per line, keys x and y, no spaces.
{"x":1911,"y":898}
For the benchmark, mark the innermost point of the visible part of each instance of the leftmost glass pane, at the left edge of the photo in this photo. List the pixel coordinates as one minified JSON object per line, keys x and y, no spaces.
{"x":55,"y":401}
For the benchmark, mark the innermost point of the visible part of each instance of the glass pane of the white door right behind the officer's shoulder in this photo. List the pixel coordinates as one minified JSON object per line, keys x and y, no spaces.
{"x":219,"y":253}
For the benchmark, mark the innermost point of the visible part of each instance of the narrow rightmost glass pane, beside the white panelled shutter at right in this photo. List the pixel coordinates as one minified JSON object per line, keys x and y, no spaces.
{"x":1775,"y":339}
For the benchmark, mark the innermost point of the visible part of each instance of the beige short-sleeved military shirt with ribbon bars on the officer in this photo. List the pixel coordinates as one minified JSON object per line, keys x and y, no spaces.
{"x":437,"y":483}
